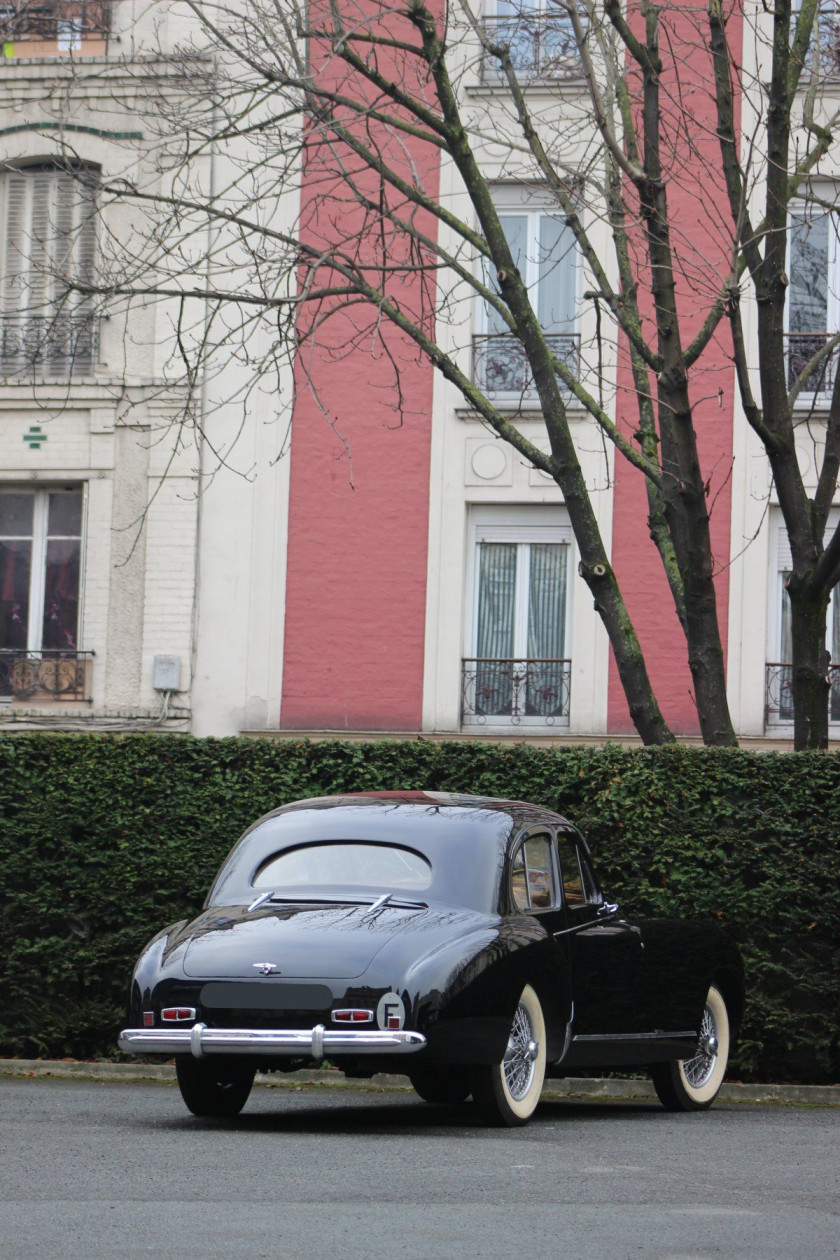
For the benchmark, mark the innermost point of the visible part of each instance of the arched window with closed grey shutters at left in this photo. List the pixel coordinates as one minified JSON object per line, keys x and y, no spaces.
{"x":47,"y":238}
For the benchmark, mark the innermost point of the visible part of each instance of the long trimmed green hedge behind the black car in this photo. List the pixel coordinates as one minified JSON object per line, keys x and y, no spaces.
{"x":104,"y":841}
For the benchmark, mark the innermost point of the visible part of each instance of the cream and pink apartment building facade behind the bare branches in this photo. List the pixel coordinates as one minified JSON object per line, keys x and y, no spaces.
{"x":328,"y":564}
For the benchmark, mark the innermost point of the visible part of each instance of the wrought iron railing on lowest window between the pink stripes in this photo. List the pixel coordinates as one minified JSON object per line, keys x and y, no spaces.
{"x":509,"y":691}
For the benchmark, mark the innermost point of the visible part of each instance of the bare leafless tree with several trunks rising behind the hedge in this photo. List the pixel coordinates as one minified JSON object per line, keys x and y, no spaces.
{"x":367,"y":101}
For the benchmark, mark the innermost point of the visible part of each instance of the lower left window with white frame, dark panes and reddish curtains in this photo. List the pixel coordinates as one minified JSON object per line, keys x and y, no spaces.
{"x":41,"y":587}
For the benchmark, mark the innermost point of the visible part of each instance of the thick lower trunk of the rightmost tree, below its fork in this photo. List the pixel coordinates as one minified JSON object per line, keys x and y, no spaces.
{"x":812,"y":660}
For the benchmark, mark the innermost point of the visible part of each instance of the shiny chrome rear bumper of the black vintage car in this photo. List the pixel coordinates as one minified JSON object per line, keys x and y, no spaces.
{"x":319,"y":1041}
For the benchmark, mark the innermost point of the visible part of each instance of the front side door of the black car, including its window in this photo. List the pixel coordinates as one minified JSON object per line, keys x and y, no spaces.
{"x":608,"y":954}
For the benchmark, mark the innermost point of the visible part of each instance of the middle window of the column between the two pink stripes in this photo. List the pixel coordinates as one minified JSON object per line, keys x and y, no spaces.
{"x":546,"y":254}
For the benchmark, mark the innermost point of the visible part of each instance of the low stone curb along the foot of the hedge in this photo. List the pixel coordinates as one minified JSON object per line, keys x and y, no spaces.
{"x":564,"y":1088}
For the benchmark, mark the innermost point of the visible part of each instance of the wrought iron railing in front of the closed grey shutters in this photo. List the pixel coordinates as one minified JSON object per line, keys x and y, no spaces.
{"x":62,"y":343}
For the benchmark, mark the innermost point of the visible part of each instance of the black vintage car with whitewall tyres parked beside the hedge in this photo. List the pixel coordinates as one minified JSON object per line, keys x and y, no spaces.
{"x":462,"y":941}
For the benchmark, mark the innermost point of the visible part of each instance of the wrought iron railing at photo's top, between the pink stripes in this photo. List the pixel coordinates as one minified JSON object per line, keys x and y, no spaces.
{"x":541,"y":46}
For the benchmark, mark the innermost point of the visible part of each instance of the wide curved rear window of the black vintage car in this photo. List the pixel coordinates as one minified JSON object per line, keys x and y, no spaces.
{"x":347,"y":865}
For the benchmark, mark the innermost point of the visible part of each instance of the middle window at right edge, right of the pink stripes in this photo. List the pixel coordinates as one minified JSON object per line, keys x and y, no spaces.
{"x":813,"y":302}
